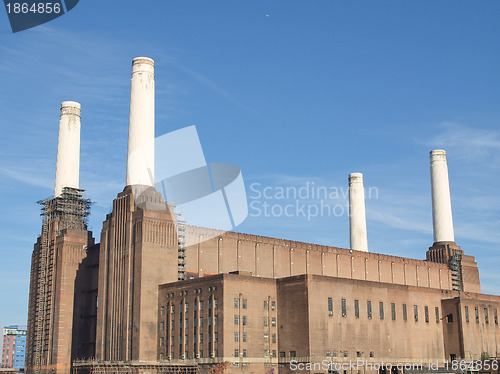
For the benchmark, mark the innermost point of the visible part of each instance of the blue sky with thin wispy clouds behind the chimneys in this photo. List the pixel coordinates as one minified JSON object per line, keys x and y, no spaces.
{"x":293,"y":92}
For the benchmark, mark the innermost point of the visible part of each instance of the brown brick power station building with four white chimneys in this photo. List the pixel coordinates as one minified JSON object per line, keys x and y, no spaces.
{"x":142,"y":301}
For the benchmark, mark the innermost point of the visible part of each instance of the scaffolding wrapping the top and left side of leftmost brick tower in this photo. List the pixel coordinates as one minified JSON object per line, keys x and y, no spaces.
{"x":70,"y":210}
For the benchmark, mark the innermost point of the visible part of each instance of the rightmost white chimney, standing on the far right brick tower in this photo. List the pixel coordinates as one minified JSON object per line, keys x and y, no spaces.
{"x":442,"y":219}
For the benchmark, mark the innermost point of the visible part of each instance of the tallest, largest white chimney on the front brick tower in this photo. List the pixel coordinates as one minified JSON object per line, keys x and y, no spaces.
{"x":141,"y":130}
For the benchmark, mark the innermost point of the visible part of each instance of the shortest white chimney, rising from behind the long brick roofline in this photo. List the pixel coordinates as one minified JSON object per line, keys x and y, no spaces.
{"x":357,"y":214}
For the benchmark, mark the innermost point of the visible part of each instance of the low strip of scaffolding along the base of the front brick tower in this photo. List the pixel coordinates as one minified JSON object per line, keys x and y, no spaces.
{"x":134,"y":367}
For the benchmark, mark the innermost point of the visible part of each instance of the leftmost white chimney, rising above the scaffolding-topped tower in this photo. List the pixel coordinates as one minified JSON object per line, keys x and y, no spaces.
{"x":68,"y":148}
